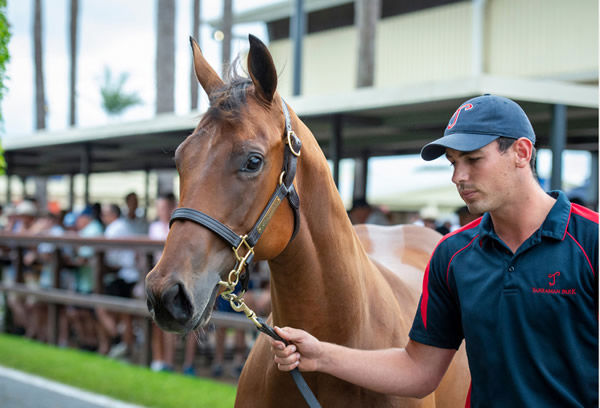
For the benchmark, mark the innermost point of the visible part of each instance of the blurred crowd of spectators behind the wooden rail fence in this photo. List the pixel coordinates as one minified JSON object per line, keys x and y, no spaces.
{"x":95,"y":328}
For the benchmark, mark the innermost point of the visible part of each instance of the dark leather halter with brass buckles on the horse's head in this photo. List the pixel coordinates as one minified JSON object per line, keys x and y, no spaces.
{"x":285,"y":188}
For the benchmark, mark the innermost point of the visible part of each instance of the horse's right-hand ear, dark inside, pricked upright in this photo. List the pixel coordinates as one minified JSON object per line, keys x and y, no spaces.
{"x":262,"y":70}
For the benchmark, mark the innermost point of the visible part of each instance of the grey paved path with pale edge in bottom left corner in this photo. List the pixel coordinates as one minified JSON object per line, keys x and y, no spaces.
{"x":21,"y":390}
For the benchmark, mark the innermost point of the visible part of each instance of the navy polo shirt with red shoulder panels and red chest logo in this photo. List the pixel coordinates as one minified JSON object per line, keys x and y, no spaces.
{"x":529,"y":319}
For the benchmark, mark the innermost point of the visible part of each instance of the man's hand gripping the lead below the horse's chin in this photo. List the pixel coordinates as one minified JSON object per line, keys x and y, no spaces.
{"x":303,"y":352}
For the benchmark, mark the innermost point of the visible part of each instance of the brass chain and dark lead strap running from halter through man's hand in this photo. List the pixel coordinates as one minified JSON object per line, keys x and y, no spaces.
{"x":237,"y":303}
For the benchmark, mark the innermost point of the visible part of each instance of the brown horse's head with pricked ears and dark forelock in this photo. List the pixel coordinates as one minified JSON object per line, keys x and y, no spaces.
{"x":229,"y":168}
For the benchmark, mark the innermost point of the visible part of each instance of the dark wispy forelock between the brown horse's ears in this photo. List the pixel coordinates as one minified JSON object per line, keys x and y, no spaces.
{"x":227,"y":102}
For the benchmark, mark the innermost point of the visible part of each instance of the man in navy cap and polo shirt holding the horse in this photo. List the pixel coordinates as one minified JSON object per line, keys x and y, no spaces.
{"x":518,"y":284}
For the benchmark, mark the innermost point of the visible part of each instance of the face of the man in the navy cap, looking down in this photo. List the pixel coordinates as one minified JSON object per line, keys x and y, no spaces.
{"x":483,"y":177}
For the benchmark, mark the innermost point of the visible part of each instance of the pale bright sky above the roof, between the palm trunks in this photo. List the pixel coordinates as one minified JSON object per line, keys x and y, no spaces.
{"x":112,"y":33}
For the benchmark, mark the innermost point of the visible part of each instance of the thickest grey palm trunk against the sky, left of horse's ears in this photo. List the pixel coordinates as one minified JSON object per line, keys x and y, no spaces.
{"x":165,"y":57}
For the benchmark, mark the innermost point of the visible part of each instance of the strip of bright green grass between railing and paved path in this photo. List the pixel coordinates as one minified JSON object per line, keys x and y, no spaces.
{"x":115,"y":379}
